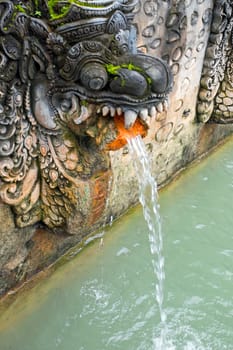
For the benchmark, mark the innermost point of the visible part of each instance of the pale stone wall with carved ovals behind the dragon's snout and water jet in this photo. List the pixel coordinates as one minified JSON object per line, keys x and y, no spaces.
{"x":177,"y":31}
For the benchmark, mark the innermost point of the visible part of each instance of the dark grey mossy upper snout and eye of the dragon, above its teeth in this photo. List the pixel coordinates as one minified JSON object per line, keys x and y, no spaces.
{"x":137,"y":78}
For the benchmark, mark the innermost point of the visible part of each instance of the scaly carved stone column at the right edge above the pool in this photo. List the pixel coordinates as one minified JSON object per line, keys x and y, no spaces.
{"x":216,"y":87}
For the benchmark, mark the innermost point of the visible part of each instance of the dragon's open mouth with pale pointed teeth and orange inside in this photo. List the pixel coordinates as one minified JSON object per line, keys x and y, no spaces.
{"x":108,"y":123}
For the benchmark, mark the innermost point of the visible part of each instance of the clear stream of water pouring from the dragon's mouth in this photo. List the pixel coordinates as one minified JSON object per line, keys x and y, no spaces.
{"x":148,"y":197}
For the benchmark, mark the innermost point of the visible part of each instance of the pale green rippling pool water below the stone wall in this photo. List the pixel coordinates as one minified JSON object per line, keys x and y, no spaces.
{"x":104,"y":298}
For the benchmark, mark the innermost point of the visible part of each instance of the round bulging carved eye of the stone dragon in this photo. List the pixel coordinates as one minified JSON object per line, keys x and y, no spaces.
{"x":94,"y":76}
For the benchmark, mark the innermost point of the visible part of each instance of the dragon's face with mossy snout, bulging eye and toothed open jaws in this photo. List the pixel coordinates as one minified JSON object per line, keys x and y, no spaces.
{"x":96,"y":90}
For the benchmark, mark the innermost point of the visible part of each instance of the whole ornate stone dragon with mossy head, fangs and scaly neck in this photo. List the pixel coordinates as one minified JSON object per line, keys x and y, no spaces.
{"x":68,"y":70}
